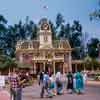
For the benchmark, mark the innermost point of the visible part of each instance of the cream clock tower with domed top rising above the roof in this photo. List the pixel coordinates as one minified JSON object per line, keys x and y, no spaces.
{"x":45,"y":34}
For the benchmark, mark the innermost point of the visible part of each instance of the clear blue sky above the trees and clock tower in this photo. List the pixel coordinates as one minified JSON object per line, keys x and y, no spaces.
{"x":15,"y":10}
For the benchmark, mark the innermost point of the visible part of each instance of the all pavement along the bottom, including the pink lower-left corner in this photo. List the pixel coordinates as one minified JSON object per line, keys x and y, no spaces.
{"x":91,"y":92}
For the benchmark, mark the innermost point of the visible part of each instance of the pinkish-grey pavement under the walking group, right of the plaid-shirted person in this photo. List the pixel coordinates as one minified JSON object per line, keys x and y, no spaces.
{"x":91,"y":93}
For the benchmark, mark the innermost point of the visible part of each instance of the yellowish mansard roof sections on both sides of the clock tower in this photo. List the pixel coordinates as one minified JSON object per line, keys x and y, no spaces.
{"x":35,"y":44}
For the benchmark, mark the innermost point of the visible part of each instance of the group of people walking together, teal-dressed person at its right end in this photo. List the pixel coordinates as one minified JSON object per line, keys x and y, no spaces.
{"x":58,"y":84}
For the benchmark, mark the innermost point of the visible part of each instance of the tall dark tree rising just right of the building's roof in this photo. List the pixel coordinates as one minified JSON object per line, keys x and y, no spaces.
{"x":75,"y":40}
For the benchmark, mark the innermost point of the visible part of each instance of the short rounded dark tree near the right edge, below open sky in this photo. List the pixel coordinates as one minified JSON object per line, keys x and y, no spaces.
{"x":92,"y":48}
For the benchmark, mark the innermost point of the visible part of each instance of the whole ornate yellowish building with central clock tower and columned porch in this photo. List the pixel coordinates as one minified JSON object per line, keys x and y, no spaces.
{"x":44,"y":53}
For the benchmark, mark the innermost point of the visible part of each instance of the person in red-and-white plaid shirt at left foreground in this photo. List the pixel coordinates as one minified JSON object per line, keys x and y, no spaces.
{"x":15,"y":85}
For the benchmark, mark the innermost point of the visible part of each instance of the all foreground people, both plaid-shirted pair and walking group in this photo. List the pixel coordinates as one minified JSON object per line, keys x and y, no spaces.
{"x":51,"y":84}
